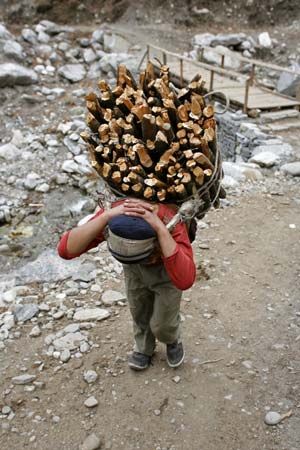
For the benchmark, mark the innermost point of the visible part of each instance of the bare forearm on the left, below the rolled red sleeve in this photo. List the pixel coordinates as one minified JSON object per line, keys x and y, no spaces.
{"x":80,"y":237}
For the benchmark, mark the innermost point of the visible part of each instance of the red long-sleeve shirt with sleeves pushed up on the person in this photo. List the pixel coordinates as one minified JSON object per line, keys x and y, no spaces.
{"x":180,"y":265}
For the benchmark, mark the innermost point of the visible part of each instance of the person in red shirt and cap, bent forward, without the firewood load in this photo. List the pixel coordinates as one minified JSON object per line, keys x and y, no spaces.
{"x":158,"y":266}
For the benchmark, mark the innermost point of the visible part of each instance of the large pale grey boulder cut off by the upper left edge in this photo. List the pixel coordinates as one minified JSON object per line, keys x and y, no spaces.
{"x":12,"y":74}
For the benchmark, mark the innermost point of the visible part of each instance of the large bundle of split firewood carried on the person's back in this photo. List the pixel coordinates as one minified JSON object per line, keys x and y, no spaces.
{"x":150,"y":140}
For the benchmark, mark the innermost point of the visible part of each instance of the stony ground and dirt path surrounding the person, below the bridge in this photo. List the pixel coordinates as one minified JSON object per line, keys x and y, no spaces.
{"x":65,"y":329}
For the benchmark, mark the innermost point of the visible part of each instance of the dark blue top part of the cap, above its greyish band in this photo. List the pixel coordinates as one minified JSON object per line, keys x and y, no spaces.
{"x":130,"y":227}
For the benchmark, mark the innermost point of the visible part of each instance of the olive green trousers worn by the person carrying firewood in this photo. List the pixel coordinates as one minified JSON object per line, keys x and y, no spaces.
{"x":154,"y":305}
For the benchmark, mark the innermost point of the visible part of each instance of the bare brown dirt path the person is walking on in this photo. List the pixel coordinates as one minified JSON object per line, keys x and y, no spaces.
{"x":248,"y":310}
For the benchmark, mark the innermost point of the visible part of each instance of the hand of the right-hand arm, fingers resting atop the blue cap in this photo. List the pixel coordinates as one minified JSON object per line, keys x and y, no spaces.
{"x":140,"y":208}
